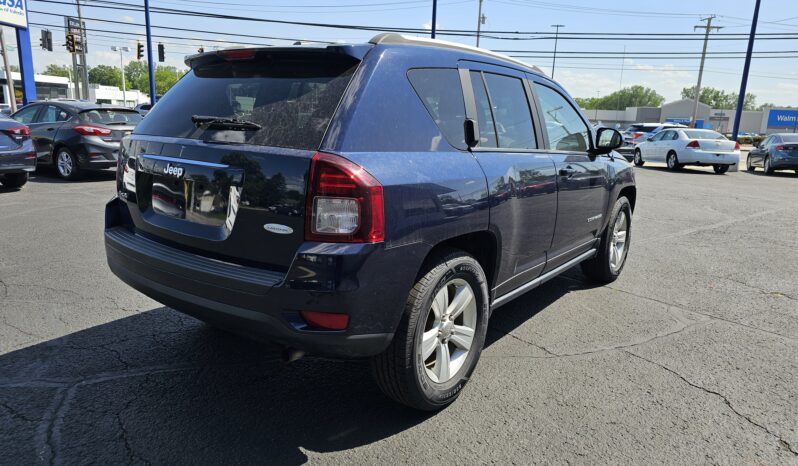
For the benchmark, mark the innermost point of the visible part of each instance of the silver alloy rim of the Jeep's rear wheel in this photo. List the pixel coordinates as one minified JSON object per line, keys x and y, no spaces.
{"x":449,"y":331}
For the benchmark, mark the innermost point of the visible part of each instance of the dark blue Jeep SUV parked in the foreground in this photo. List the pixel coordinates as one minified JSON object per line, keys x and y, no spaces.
{"x":376,"y":200}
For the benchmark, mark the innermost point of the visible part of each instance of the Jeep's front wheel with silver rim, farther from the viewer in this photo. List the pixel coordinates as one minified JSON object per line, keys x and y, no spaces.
{"x":608,"y":263}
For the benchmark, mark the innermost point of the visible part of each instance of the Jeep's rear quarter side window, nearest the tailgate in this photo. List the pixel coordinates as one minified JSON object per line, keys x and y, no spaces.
{"x":441,"y":93}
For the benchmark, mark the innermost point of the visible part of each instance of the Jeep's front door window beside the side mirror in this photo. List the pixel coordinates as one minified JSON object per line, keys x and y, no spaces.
{"x":564,"y":126}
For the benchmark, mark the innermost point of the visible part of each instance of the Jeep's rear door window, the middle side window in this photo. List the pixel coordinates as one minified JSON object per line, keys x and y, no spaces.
{"x":510,"y":112}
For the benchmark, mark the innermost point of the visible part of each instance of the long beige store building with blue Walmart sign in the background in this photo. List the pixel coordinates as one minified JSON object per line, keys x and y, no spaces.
{"x":773,"y":120}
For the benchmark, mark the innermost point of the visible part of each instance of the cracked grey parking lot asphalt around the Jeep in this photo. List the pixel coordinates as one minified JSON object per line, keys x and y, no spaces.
{"x":690,"y":357}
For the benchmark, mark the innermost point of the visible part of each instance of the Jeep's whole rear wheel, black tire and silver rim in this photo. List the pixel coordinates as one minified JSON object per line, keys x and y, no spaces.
{"x":440,"y":336}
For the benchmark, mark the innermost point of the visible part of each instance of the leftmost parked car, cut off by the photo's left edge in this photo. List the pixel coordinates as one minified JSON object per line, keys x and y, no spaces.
{"x":17,"y":157}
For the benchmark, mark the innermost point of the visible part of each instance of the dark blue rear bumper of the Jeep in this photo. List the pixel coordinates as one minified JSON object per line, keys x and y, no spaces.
{"x":364,"y":281}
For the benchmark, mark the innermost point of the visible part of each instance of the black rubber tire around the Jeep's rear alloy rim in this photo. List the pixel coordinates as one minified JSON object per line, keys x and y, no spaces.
{"x":400,"y":371}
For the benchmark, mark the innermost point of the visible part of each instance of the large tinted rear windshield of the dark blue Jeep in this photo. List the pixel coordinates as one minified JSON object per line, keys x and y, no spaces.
{"x":292,"y":96}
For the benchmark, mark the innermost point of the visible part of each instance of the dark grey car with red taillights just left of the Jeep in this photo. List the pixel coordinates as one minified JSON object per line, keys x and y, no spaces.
{"x":75,"y":135}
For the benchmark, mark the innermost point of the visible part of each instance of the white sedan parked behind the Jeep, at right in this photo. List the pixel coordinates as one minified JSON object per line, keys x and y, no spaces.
{"x":680,"y":147}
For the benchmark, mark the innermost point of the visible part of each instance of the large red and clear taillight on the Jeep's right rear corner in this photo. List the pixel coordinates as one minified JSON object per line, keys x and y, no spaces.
{"x":344,"y":202}
